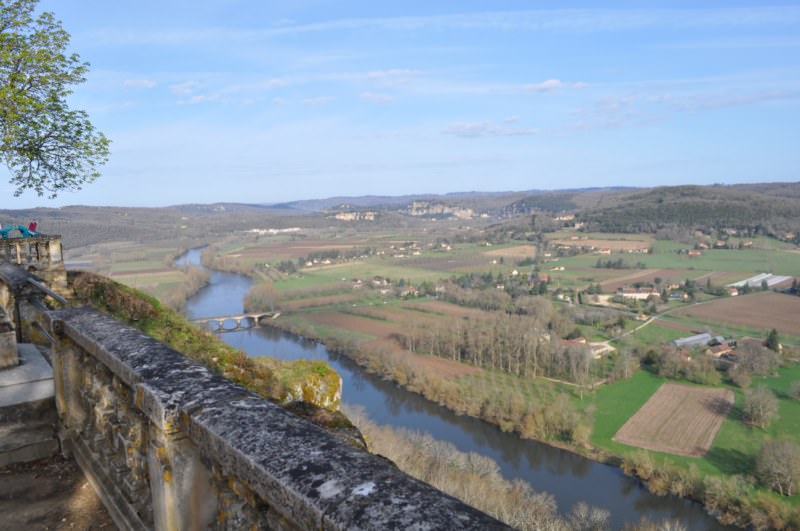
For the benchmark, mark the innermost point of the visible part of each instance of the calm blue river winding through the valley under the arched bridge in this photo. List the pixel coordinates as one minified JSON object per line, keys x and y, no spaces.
{"x":568,"y":477}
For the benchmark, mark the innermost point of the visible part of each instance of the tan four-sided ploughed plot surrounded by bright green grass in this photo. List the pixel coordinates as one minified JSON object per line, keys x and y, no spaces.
{"x":678,"y":419}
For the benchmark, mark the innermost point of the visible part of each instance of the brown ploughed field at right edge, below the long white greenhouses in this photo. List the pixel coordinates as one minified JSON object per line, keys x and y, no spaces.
{"x":765,"y":310}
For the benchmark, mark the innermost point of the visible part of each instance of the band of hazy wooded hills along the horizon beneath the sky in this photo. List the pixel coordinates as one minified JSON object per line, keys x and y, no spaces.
{"x":758,"y":208}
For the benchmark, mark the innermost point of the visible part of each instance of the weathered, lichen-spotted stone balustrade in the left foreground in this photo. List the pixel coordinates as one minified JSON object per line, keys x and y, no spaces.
{"x":167,"y":443}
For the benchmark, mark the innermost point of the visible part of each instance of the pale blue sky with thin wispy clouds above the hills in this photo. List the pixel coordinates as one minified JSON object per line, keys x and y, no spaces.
{"x":266,"y":102}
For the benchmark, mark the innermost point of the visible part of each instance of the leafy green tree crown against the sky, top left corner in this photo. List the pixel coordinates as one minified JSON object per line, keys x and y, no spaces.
{"x":47,"y":146}
